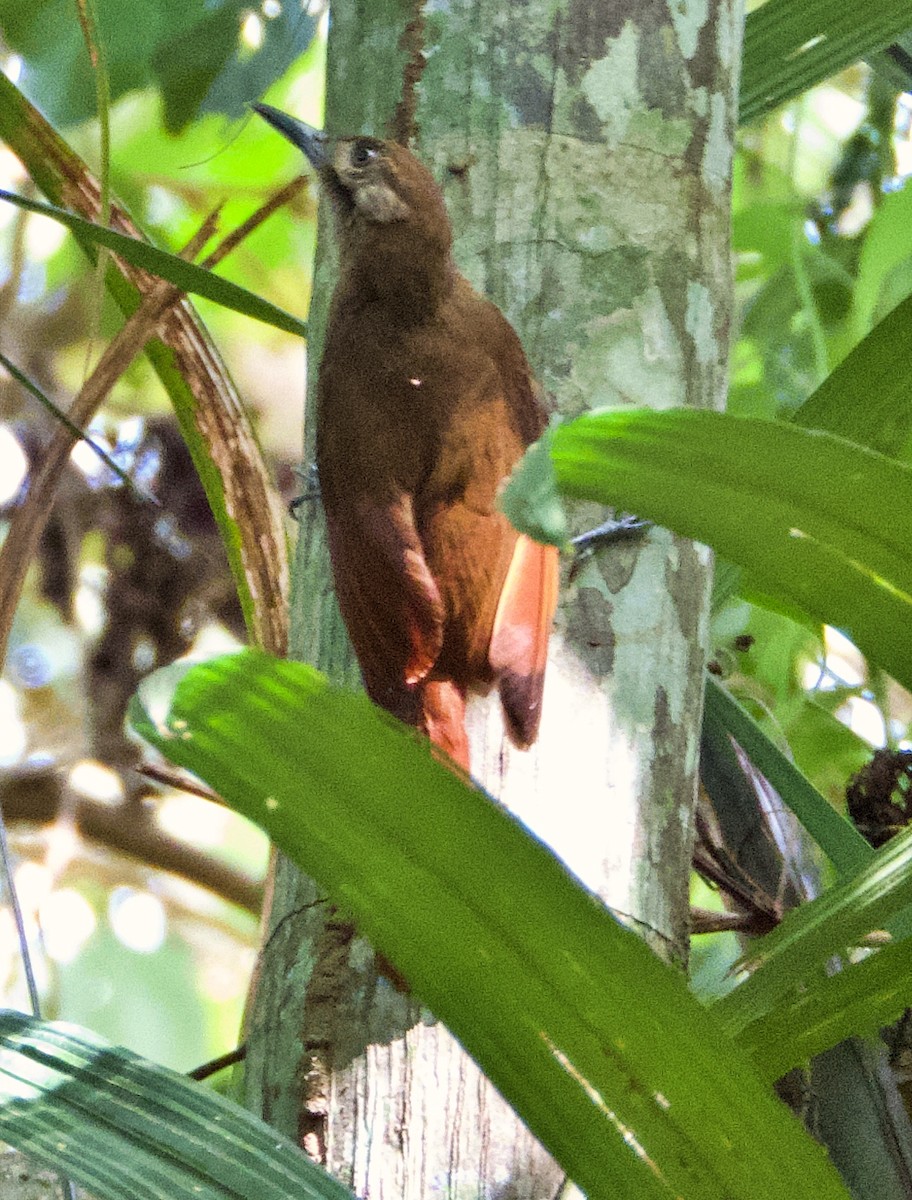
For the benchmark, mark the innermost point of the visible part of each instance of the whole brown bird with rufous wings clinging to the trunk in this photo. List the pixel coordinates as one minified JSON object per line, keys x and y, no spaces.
{"x":425,"y":404}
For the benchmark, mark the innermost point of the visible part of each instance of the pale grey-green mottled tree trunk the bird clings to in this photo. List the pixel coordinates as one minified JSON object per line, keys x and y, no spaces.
{"x":585,"y":153}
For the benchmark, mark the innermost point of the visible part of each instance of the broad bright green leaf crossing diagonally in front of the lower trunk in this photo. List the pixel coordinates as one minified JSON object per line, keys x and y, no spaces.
{"x":554,"y":998}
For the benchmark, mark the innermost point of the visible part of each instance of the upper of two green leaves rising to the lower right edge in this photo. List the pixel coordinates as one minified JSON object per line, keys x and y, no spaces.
{"x":811,"y":937}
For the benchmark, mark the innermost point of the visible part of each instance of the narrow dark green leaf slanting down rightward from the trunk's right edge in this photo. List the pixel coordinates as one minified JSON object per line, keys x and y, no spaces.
{"x":838,"y":838}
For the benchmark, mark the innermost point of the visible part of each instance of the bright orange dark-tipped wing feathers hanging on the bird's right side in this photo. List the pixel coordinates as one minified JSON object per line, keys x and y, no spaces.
{"x":520,"y":638}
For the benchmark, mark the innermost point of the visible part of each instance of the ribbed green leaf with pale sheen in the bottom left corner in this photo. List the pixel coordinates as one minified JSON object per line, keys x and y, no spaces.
{"x":124,"y":1127}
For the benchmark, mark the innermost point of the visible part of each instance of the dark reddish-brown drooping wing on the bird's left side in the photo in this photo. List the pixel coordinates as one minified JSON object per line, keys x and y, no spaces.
{"x":389,"y":599}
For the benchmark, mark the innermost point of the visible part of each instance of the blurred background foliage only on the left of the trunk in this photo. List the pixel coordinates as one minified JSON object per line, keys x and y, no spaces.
{"x":159,"y":961}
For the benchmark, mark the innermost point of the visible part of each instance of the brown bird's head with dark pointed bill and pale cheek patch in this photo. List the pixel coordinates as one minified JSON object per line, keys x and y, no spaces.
{"x":383,"y":197}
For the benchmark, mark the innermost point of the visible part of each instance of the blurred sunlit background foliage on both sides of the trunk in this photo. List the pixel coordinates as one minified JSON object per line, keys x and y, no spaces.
{"x":160,"y":959}
